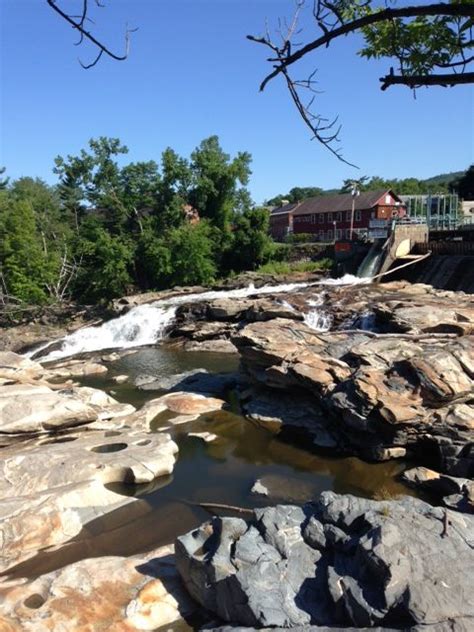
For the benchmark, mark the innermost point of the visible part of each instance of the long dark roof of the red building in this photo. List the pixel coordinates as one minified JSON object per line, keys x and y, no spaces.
{"x":334,"y":203}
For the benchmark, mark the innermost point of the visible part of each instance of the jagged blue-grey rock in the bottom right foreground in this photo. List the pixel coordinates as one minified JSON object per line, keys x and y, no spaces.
{"x":342,"y":561}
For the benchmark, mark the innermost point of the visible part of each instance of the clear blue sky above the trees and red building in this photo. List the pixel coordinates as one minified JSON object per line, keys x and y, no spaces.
{"x":191,"y":73}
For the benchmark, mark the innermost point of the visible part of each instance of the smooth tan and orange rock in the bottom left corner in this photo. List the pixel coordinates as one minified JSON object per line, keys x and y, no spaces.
{"x":142,"y":592}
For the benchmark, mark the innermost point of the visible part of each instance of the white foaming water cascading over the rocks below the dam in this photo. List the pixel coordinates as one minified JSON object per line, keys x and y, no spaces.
{"x":147,"y":324}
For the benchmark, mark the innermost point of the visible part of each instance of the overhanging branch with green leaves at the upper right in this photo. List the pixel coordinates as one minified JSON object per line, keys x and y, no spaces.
{"x":421,"y":39}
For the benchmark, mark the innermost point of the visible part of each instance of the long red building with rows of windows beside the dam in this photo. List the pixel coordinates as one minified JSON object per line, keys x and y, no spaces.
{"x":323,"y":215}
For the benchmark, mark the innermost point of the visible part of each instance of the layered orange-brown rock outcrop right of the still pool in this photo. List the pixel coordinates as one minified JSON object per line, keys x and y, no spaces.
{"x":375,"y":393}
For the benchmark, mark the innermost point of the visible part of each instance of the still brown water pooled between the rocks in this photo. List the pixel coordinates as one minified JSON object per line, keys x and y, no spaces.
{"x":222,"y":471}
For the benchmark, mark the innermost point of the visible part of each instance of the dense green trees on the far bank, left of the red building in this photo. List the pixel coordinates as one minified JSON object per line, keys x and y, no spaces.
{"x":108,"y":229}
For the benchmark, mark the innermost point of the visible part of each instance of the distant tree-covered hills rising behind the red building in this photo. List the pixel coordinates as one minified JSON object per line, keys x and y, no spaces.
{"x":404,"y":186}
